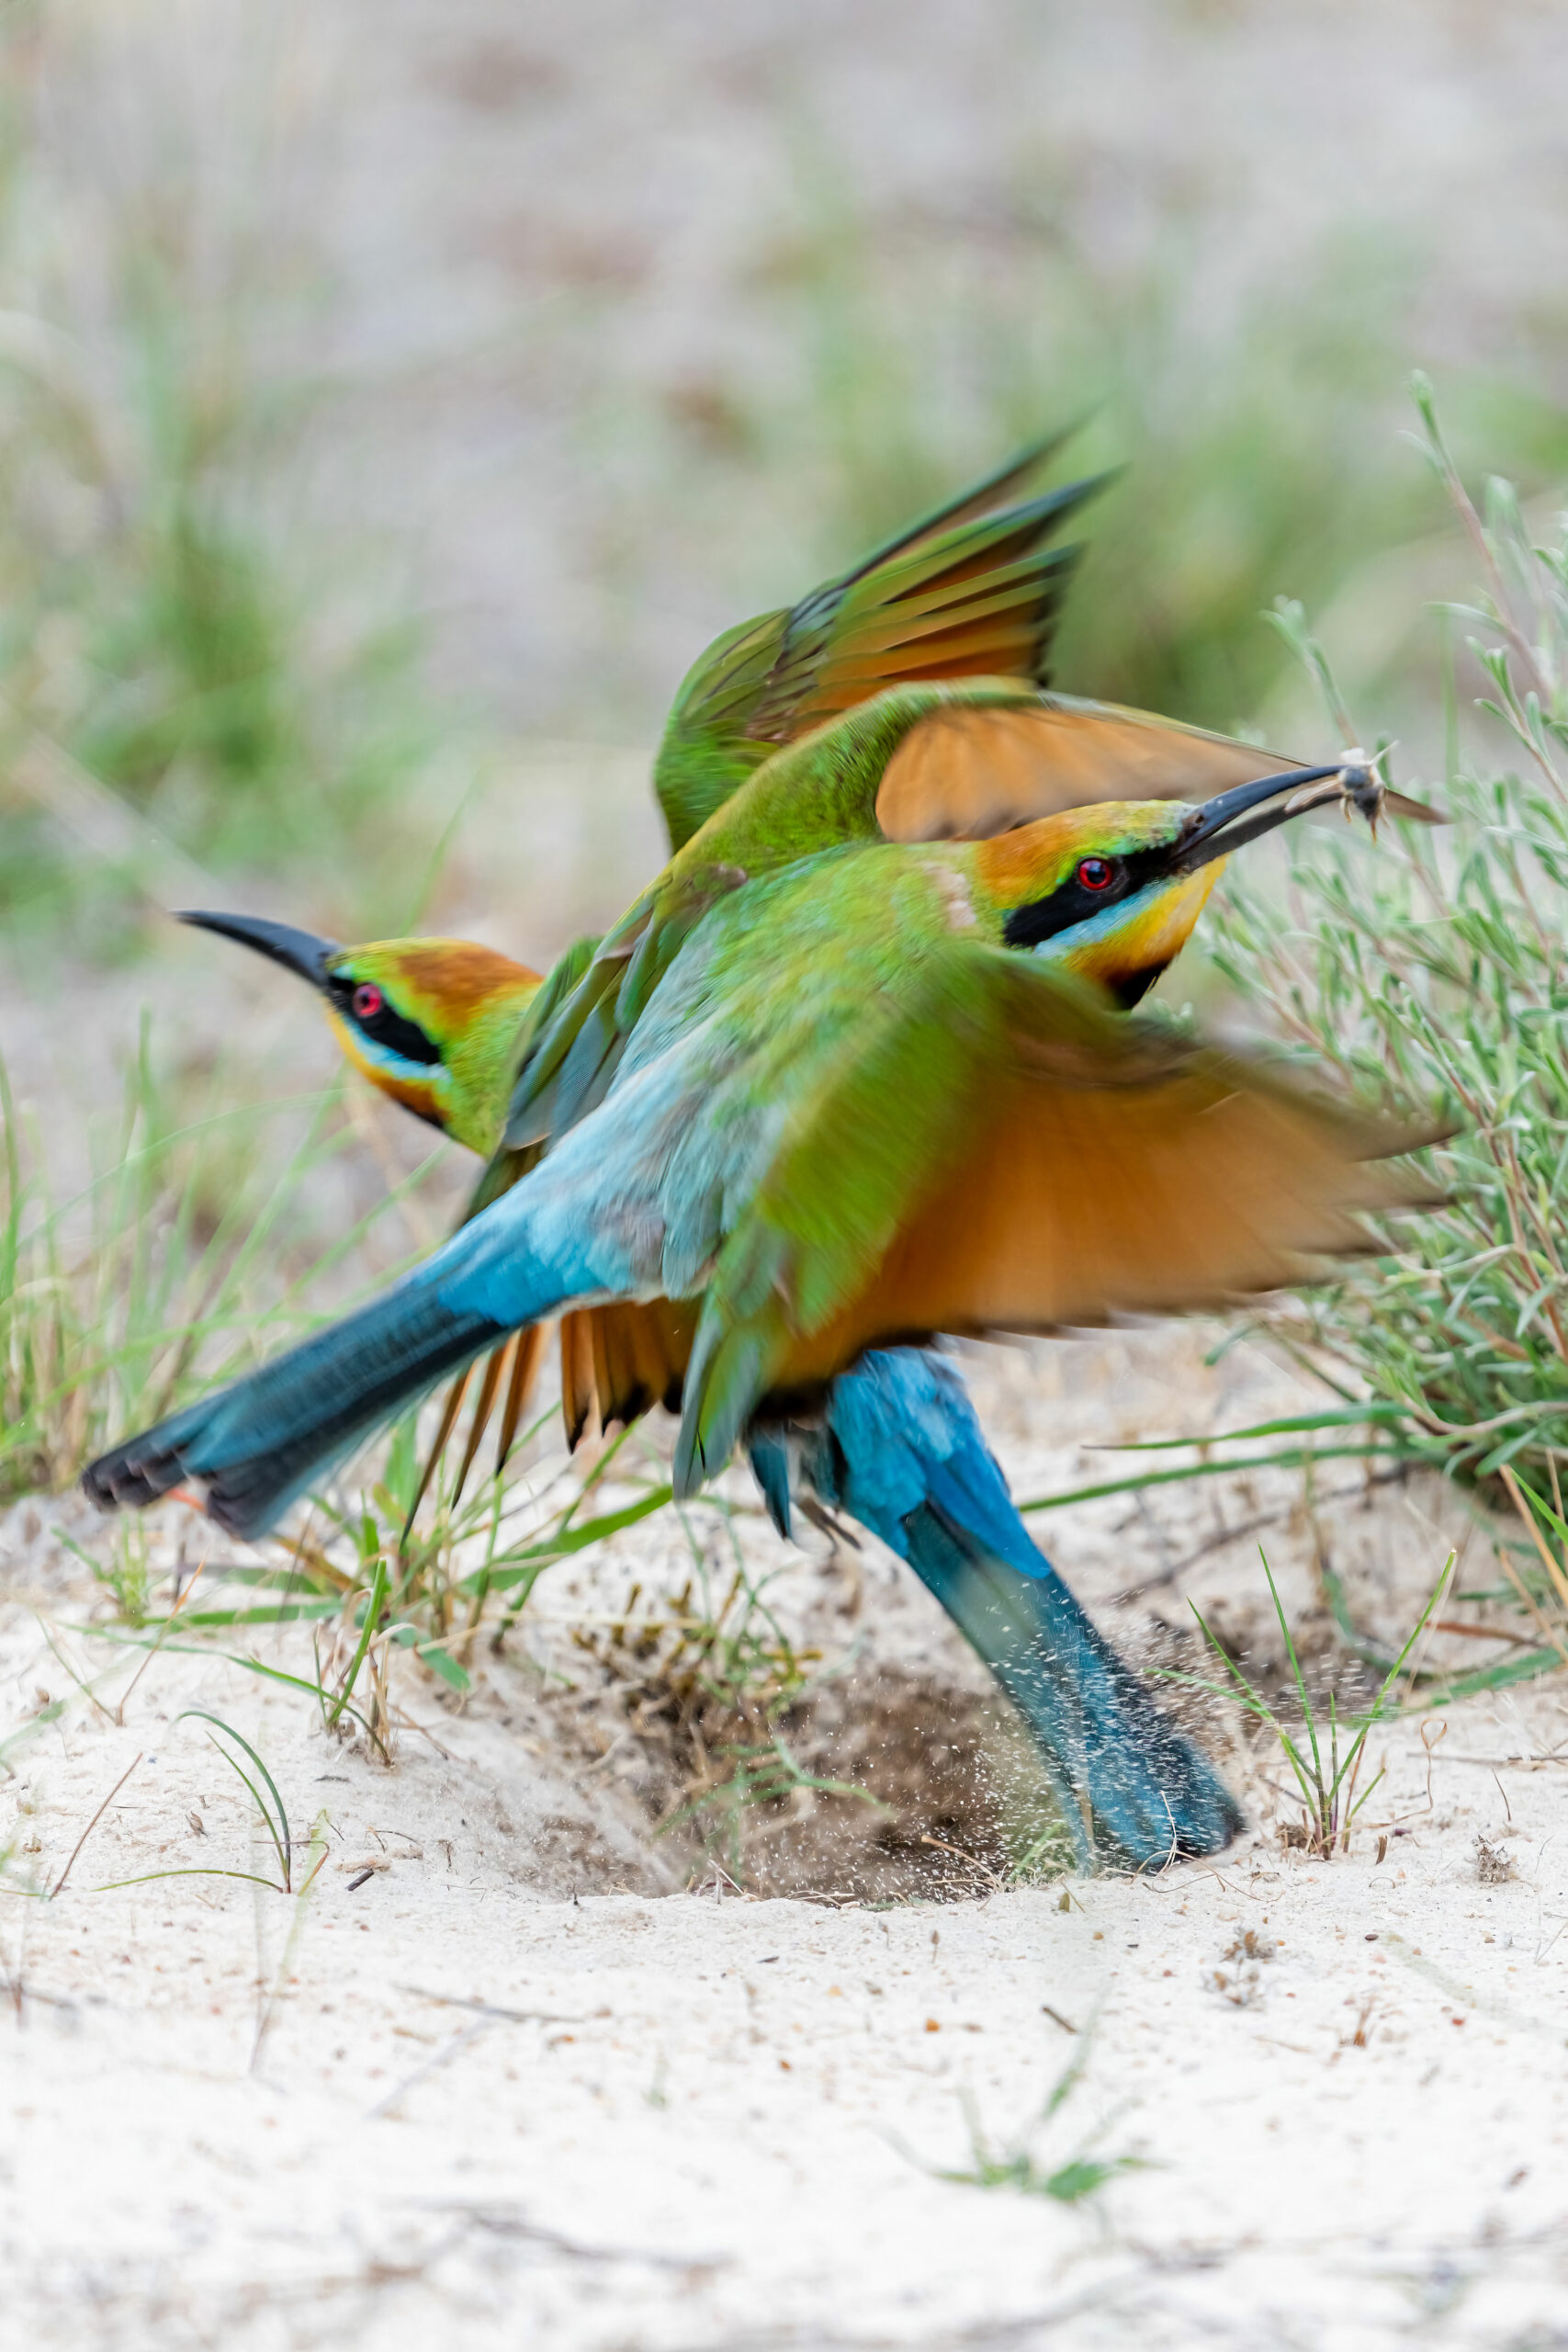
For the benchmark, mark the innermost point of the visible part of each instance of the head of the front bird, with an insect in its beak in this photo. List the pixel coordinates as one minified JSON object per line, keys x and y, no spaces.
{"x":1113,"y":893}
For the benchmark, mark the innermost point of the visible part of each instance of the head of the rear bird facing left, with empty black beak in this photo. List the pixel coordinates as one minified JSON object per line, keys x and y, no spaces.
{"x":431,"y":1022}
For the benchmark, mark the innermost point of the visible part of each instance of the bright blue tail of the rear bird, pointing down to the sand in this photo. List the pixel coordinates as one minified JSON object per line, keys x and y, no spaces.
{"x":902,"y":1452}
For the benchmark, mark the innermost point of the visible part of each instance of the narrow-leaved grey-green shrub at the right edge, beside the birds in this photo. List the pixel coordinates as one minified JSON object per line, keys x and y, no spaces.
{"x":1440,"y":968}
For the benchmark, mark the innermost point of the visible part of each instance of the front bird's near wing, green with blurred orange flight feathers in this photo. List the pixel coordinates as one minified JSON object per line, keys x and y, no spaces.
{"x":1005,"y":1154}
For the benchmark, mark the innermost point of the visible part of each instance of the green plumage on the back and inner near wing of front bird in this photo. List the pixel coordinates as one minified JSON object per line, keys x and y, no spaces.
{"x":871,"y":1057}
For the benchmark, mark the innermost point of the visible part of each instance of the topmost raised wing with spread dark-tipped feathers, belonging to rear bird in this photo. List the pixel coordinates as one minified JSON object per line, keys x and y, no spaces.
{"x":970,"y":592}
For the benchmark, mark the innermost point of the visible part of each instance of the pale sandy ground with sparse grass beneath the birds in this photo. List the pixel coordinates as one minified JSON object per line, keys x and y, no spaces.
{"x":516,"y":2071}
